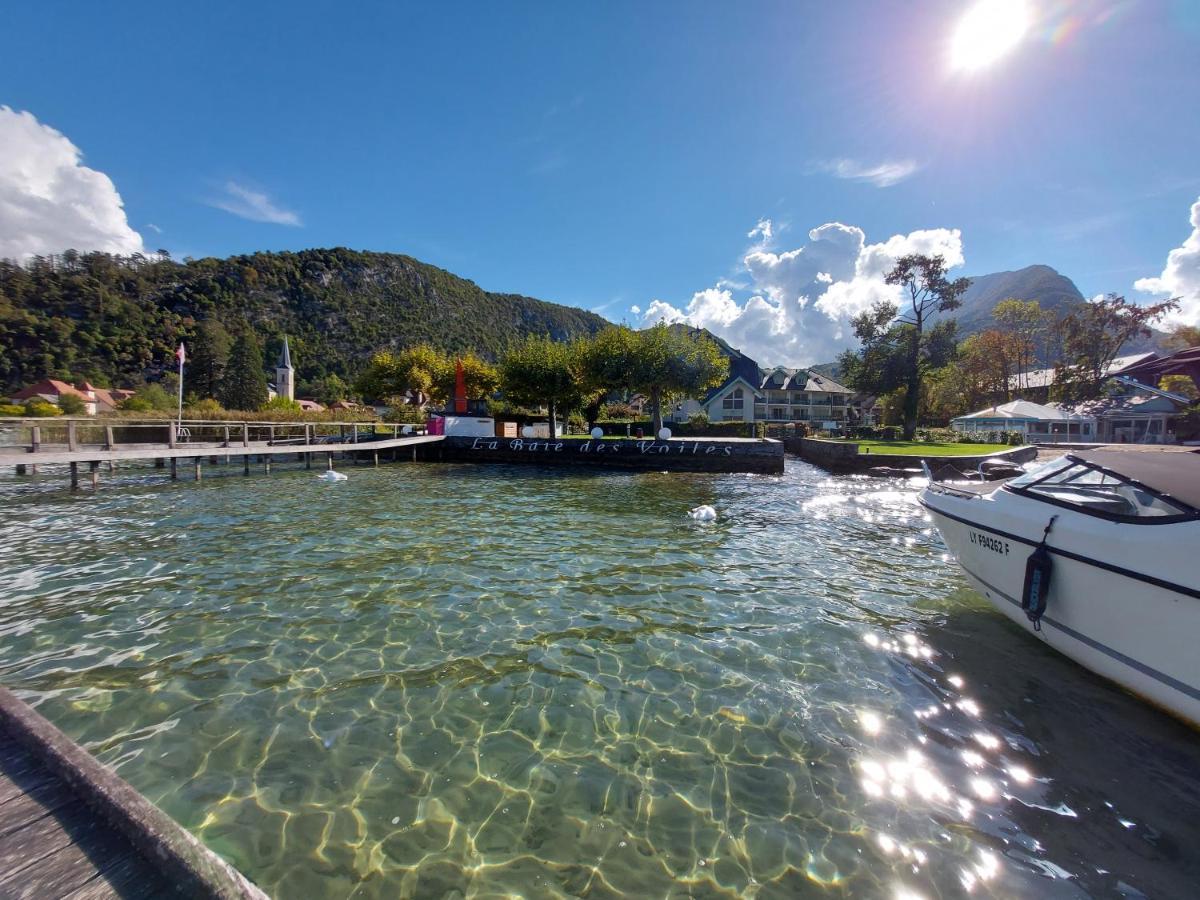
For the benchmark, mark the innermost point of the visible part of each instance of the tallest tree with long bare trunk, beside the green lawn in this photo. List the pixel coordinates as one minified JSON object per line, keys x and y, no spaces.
{"x":927,"y":291}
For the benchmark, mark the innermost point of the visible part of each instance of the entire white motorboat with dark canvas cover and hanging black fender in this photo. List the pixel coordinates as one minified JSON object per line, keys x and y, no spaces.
{"x":1099,"y":555}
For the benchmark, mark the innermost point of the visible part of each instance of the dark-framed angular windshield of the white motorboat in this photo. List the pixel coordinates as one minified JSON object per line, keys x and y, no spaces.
{"x":1089,"y":489}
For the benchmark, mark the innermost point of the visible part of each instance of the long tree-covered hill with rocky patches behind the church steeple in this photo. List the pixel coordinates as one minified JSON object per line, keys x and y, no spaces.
{"x":117,"y":321}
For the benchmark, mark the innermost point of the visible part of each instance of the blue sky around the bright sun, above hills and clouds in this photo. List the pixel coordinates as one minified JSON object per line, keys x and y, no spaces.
{"x":611,"y":155}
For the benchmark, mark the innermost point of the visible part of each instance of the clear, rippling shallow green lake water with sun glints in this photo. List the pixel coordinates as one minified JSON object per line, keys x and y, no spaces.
{"x":470,"y":681}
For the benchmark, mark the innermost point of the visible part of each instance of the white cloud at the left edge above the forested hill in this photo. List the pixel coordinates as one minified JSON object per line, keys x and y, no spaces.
{"x":50,"y":201}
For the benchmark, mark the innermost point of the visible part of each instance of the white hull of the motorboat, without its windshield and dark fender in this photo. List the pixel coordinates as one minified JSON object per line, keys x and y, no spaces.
{"x":1108,"y":607}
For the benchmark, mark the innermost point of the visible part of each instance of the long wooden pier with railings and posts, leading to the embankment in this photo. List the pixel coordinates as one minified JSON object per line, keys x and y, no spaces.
{"x":29,"y":443}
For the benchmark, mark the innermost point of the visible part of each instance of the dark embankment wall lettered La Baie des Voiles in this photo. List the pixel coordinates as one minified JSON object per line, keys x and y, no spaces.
{"x":764,"y":457}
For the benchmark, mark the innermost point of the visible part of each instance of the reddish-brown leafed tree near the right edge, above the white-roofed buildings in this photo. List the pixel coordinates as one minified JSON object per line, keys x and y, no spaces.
{"x":1094,"y":337}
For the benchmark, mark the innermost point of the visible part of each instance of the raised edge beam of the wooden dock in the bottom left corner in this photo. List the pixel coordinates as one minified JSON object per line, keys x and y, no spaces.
{"x":197,"y":871}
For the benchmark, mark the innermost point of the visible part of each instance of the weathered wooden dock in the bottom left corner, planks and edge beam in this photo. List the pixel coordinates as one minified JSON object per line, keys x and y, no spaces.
{"x":71,"y":829}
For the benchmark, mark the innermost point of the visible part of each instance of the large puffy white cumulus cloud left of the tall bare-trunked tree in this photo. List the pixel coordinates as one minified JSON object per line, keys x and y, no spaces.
{"x":801,"y":302}
